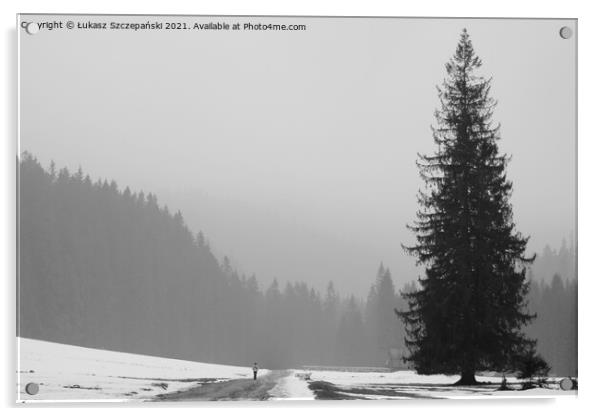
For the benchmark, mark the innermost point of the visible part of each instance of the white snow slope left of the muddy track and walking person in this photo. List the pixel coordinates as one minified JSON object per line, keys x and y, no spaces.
{"x":65,"y":372}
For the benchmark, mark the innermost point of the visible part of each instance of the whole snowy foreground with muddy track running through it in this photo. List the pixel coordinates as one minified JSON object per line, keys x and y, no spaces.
{"x":70,"y":373}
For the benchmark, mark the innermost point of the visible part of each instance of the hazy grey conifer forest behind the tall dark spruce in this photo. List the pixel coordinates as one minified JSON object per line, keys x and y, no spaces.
{"x":107,"y":268}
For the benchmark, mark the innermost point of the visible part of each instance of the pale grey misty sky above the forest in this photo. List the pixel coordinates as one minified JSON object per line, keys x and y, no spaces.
{"x":295,"y":152}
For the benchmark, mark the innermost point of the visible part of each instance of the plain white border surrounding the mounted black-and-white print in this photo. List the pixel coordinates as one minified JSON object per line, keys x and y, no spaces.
{"x":588,"y":195}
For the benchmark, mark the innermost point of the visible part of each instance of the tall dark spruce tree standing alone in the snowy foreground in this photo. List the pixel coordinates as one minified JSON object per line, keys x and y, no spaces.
{"x":468,"y":313}
